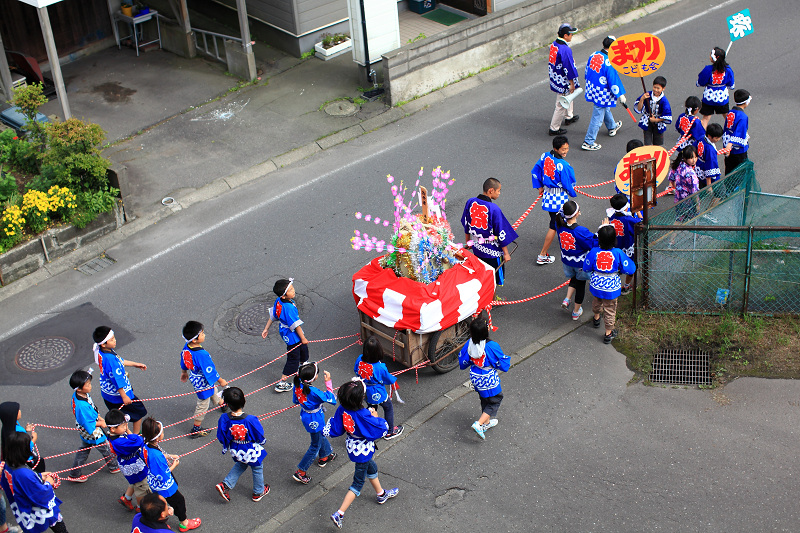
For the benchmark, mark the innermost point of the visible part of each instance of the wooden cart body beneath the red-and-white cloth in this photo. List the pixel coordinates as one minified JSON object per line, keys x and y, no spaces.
{"x":441,"y":348}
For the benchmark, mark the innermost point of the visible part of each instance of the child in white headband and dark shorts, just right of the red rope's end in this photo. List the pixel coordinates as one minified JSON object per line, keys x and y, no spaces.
{"x":575,"y":242}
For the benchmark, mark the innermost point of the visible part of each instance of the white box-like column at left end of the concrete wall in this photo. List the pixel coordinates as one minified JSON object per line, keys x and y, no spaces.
{"x":383,"y":28}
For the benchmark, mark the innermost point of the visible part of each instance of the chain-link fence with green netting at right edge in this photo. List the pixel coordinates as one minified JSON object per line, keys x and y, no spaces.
{"x":727,"y":248}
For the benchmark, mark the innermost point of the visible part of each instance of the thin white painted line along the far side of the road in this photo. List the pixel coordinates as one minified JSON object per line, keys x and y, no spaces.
{"x":265,"y":203}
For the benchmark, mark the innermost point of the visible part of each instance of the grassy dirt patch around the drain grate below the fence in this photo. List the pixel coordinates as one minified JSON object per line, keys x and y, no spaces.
{"x":755,"y":346}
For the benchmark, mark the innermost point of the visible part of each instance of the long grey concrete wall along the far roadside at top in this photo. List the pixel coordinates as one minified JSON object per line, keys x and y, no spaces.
{"x":418,"y":68}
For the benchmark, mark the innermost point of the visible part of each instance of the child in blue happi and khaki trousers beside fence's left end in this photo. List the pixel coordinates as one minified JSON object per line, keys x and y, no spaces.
{"x":605,"y":263}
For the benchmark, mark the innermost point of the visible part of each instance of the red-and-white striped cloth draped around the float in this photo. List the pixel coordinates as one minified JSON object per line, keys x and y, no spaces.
{"x":401,"y":303}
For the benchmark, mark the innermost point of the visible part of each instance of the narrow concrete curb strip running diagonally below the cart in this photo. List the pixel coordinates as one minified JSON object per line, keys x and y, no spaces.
{"x":417,"y":420}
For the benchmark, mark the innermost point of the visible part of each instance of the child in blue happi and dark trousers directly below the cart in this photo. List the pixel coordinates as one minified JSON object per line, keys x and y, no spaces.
{"x":369,"y":366}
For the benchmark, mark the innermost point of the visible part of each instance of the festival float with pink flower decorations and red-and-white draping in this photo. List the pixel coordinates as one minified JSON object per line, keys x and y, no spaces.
{"x":418,"y":298}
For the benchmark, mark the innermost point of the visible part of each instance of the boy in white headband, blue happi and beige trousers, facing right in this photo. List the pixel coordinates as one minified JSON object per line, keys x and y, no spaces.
{"x":198,"y":368}
